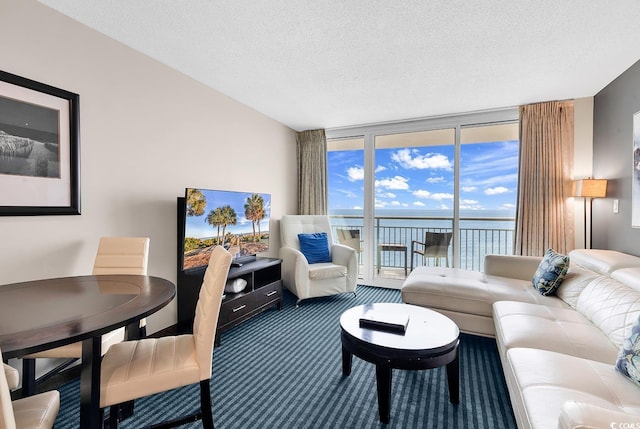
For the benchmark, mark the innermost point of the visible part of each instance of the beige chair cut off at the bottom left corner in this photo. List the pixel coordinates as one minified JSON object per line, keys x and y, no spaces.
{"x":35,"y":412}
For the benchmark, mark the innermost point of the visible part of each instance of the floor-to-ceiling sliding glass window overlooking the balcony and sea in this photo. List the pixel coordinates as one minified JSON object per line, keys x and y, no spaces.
{"x":397,"y":189}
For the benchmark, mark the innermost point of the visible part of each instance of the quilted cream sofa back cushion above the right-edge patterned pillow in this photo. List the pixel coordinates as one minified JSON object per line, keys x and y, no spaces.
{"x":611,"y":306}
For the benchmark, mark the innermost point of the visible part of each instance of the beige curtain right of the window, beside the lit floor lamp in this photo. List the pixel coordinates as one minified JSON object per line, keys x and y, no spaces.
{"x":544,"y":219}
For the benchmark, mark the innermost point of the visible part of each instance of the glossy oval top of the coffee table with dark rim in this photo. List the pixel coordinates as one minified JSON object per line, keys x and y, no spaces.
{"x":428,"y":332}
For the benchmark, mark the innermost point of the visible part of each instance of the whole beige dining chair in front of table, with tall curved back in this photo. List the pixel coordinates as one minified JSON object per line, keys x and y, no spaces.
{"x":134,"y":369}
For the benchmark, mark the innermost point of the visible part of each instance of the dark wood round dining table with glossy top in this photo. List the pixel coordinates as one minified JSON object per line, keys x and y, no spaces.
{"x":44,"y":314}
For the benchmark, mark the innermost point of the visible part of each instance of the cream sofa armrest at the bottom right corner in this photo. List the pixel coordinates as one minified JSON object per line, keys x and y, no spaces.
{"x":581,"y":415}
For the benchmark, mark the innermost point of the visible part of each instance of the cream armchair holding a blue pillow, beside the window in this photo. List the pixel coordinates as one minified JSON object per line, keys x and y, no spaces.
{"x":307,"y":280}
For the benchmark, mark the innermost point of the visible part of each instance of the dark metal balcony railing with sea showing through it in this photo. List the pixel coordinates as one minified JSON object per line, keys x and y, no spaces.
{"x":478,"y":236}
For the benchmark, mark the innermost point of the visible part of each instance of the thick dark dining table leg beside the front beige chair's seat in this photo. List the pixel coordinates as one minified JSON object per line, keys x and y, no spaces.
{"x":90,"y":415}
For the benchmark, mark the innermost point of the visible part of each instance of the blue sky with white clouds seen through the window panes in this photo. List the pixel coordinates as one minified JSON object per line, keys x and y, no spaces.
{"x":422,"y":178}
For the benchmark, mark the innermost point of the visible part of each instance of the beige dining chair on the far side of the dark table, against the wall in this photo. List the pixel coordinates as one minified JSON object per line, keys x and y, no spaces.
{"x":115,"y":255}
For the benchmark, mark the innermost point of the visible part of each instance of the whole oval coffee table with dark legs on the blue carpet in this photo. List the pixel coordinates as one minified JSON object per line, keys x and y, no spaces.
{"x":430,"y":341}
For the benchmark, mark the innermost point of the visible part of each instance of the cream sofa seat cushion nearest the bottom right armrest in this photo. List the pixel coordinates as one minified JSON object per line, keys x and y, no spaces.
{"x":540,"y":382}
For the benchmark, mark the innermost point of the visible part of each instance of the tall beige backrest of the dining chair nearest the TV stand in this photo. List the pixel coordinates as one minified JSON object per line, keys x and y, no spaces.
{"x":208,"y":308}
